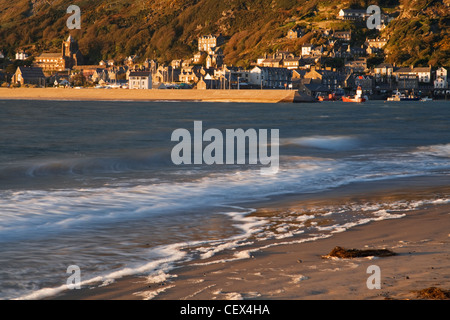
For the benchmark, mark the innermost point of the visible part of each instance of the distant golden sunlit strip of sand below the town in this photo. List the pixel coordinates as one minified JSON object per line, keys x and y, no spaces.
{"x":259,"y":96}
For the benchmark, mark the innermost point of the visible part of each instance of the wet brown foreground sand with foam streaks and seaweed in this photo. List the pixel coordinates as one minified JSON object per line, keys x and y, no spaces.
{"x":291,"y":269}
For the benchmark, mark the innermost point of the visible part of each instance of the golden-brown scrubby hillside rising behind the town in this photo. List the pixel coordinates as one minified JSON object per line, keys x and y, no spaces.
{"x":168,"y":29}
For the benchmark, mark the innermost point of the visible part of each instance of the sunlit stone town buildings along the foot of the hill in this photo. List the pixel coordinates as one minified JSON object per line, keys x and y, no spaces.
{"x":307,"y":71}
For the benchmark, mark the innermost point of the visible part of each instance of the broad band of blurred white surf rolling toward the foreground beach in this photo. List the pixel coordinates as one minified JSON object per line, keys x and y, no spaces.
{"x":28,"y":213}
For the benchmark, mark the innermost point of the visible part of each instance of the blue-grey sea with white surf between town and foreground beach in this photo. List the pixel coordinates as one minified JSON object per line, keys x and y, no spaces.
{"x":92,"y":184}
